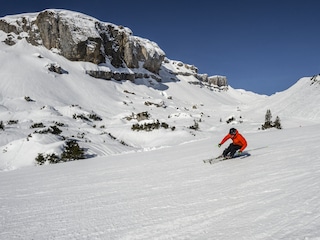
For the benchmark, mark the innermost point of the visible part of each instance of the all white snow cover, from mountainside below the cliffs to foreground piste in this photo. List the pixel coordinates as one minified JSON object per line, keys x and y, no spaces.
{"x":150,"y":184}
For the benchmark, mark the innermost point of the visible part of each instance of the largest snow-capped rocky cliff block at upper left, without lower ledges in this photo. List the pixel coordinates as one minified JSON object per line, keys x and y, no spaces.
{"x":82,"y":38}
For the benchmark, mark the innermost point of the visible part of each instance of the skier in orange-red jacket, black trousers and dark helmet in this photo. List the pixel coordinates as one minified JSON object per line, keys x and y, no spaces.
{"x":238,"y":143}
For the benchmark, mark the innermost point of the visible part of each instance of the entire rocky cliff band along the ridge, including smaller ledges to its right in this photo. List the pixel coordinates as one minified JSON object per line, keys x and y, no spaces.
{"x":79,"y":37}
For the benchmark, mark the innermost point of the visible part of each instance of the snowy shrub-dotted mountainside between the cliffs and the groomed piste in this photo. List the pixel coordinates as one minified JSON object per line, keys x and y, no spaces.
{"x":34,"y":99}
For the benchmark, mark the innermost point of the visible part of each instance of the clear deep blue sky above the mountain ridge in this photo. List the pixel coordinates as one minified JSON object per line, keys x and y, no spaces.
{"x":264,"y":46}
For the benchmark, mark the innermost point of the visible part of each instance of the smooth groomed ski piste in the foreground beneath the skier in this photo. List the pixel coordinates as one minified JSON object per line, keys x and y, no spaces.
{"x":170,"y":194}
